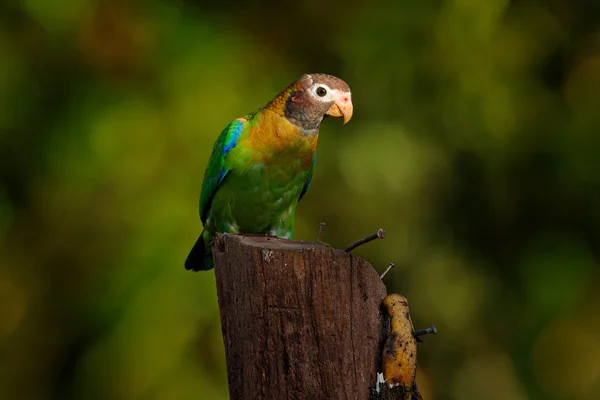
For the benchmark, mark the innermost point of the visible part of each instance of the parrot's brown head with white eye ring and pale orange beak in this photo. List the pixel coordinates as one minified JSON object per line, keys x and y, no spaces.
{"x":314,"y":96}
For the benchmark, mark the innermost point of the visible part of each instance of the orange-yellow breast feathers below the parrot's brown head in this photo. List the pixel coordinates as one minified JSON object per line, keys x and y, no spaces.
{"x":274,"y":140}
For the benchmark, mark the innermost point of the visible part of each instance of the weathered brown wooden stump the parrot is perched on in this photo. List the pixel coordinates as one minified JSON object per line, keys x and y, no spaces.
{"x":299,"y":320}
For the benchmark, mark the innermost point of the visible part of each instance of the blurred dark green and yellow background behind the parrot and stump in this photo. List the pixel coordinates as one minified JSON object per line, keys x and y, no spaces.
{"x":475,"y":143}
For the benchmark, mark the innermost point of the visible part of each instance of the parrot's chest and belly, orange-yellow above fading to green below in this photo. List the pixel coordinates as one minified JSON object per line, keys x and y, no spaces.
{"x":269,"y":168}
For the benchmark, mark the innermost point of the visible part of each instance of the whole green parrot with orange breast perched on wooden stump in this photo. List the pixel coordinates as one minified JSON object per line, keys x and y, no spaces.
{"x":262,"y":164}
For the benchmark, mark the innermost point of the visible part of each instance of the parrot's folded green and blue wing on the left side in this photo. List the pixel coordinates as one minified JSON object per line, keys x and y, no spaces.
{"x":216,"y":169}
